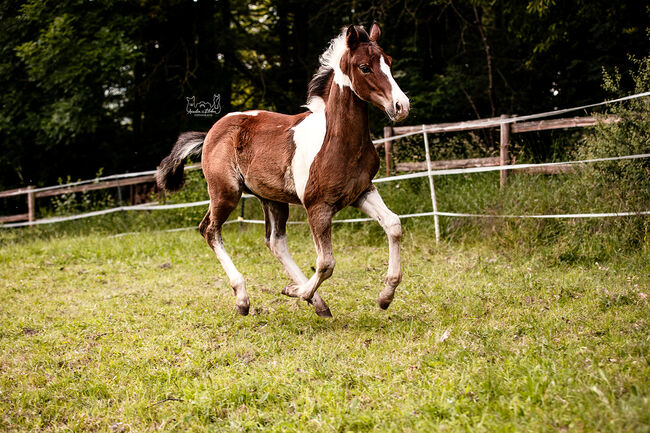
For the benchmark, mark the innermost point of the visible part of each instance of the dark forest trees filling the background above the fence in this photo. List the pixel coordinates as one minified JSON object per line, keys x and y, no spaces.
{"x":88,"y":85}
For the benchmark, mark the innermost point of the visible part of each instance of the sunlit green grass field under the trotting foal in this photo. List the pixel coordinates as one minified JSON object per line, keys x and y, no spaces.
{"x":138,"y":333}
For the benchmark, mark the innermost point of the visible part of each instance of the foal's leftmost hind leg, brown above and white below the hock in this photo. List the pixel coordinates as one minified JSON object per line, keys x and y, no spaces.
{"x":210,"y":228}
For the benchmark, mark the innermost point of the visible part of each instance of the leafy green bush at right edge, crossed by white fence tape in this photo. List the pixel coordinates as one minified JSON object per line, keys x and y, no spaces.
{"x":623,"y":185}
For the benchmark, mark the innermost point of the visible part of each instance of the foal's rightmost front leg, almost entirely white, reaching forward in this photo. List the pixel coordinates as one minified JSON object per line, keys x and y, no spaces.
{"x":372,"y":205}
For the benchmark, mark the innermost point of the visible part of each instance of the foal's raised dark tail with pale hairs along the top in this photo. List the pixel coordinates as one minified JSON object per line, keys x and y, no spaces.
{"x":169,"y":175}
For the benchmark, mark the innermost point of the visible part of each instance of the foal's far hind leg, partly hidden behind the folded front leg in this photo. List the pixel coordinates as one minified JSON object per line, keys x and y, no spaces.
{"x":275,"y":216}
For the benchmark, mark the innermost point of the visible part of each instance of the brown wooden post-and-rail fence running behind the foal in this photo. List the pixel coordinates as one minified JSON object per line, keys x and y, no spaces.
{"x":506,"y":129}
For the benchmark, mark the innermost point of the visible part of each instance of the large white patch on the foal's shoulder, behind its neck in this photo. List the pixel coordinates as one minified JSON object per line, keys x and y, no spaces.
{"x":308,"y":136}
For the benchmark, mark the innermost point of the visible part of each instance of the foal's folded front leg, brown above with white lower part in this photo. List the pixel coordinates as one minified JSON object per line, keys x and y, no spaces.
{"x":320,"y":222}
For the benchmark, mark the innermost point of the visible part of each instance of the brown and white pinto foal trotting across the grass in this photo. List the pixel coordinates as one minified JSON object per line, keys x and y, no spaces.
{"x":322,"y":159}
